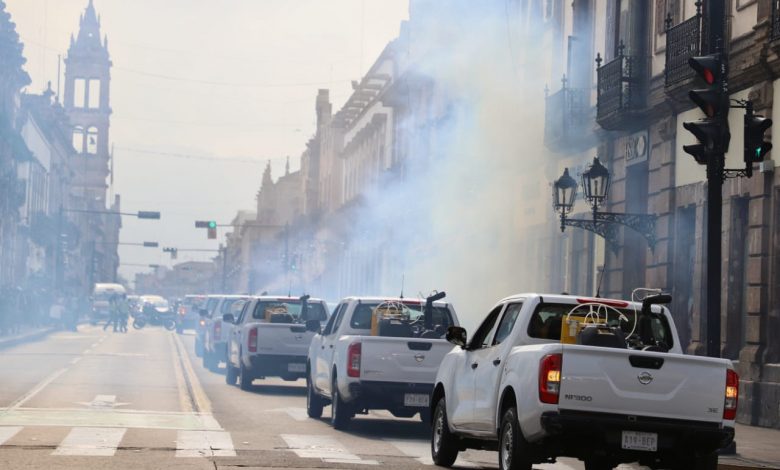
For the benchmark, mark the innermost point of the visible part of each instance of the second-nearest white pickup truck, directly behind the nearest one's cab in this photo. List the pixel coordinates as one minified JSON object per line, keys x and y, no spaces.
{"x":378,"y":353}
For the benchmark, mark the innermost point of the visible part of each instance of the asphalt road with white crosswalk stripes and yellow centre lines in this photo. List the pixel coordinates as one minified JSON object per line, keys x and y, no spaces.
{"x":140,"y":400}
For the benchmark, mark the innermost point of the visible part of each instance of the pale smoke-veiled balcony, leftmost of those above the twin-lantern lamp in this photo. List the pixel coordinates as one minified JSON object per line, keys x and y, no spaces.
{"x":567,"y":124}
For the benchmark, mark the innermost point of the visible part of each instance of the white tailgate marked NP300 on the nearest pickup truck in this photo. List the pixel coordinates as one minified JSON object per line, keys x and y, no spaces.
{"x":638,"y":383}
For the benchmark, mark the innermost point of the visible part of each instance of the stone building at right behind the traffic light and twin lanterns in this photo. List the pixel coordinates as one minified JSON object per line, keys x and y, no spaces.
{"x":624,"y":99}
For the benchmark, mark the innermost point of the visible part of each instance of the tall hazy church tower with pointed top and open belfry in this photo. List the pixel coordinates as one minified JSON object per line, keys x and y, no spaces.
{"x":86,"y":101}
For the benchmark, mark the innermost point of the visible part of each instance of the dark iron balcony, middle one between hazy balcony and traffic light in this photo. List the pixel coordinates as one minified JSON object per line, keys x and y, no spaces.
{"x":620,"y":93}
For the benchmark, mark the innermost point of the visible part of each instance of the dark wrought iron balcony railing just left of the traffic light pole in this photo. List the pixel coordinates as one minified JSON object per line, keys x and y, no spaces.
{"x":683,"y":41}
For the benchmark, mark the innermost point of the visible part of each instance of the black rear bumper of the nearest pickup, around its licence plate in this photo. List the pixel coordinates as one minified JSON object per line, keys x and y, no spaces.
{"x":569,"y":429}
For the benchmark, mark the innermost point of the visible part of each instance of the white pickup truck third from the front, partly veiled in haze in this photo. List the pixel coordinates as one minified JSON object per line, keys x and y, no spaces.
{"x":270,"y":338}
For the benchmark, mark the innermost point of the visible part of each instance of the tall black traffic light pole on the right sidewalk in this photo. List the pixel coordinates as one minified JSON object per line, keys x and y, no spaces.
{"x":716,"y":13}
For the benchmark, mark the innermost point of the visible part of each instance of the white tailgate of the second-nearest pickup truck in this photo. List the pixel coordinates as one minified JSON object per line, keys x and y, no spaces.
{"x":408,"y":360}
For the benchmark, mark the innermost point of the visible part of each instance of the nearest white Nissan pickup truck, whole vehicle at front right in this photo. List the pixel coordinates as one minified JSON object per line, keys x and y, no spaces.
{"x":604,"y":381}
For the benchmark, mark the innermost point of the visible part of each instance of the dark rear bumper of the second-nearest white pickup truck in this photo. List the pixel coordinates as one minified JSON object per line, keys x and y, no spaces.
{"x":387,"y":395}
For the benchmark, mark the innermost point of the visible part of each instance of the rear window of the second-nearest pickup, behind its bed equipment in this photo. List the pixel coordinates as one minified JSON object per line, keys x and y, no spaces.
{"x":410,"y":321}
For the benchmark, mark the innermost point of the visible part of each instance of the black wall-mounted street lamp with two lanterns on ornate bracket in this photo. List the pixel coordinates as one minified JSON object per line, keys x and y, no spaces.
{"x":595,"y":184}
